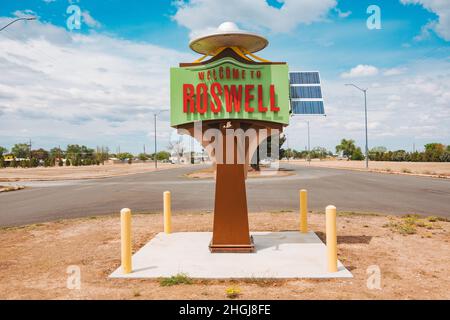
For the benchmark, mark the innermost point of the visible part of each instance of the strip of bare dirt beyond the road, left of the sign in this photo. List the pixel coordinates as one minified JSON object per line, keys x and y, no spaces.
{"x":74,"y":173}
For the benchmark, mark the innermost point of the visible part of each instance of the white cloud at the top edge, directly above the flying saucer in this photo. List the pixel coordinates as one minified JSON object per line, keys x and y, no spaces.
{"x":201,"y":15}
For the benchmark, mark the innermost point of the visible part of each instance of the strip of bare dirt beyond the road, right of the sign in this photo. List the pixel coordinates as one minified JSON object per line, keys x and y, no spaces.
{"x":436,"y":169}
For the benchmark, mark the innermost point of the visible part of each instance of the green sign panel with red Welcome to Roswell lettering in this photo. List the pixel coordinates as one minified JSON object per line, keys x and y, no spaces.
{"x":229,"y":89}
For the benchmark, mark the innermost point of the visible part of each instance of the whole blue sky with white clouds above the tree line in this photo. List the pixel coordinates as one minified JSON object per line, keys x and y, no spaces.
{"x":101,"y":84}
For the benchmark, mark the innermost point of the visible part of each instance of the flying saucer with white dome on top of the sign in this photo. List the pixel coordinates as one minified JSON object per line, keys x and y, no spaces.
{"x":228,"y":35}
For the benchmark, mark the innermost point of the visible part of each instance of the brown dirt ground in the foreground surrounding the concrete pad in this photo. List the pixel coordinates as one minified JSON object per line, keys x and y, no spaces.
{"x":413,"y":256}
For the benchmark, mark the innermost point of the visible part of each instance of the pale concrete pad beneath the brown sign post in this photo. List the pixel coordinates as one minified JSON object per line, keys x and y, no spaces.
{"x":278,"y":255}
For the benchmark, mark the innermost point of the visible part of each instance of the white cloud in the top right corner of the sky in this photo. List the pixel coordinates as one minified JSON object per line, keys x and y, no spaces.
{"x":442,"y":9}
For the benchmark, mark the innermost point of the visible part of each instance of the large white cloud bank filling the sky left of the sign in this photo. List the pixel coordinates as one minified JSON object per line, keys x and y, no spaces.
{"x":68,"y":87}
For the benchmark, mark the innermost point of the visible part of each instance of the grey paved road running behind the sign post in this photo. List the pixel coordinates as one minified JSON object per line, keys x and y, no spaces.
{"x":348,"y":190}
